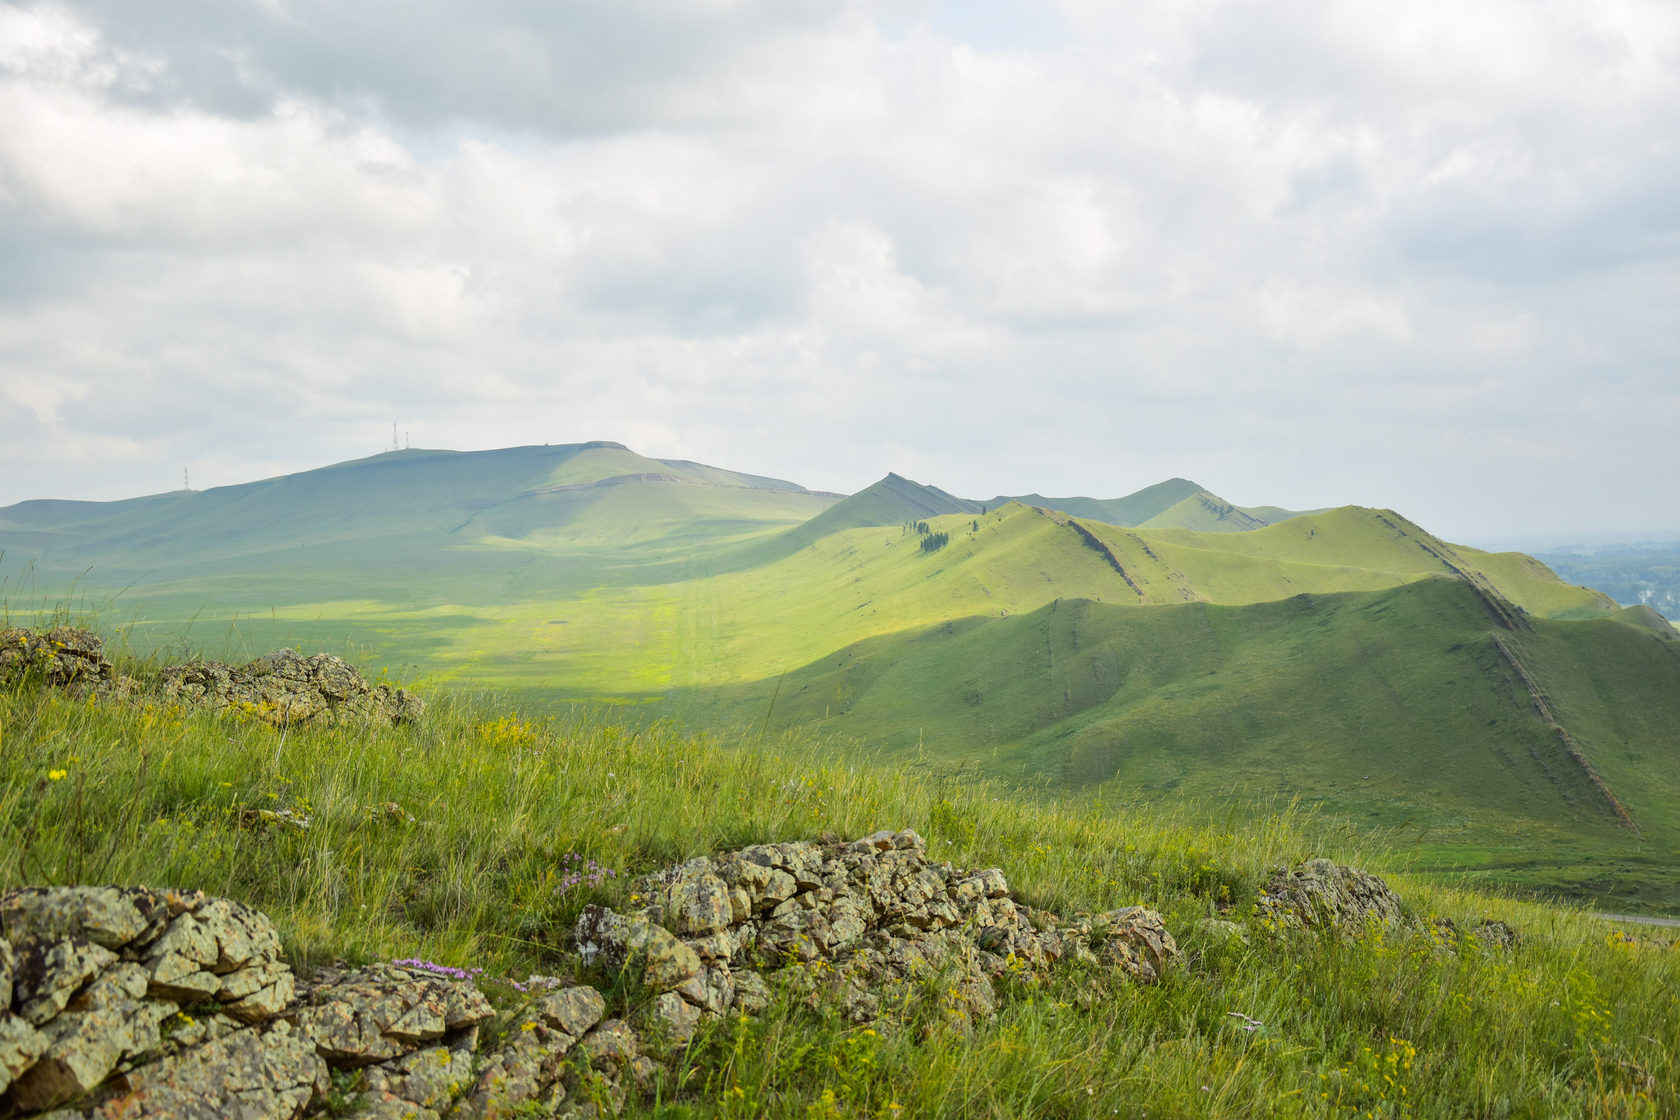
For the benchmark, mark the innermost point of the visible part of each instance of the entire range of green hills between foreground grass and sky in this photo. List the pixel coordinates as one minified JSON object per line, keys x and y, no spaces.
{"x":1167,"y":642}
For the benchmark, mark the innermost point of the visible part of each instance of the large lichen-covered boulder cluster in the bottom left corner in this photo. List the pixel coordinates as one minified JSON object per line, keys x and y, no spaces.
{"x":100,"y":978}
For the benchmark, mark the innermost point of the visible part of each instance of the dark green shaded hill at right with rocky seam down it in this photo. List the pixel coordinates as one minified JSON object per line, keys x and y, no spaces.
{"x":1392,"y":709}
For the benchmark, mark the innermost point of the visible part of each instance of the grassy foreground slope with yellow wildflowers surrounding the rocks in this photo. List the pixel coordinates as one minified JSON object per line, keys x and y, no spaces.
{"x":476,"y":837}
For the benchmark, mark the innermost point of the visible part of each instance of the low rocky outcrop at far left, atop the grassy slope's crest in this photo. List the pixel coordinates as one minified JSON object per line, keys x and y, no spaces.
{"x":283,"y":689}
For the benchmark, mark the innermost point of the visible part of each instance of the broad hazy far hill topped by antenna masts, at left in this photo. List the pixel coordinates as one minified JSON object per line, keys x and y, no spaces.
{"x":429,"y":505}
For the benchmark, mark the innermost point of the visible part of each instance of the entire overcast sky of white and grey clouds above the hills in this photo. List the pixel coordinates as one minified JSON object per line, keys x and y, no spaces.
{"x":1422,"y":256}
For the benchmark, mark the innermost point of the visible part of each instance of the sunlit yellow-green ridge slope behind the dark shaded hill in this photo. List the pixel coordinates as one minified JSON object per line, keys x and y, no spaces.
{"x":879,"y":580}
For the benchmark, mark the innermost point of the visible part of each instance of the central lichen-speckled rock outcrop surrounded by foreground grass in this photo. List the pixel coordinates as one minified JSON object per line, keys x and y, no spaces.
{"x":869,"y":916}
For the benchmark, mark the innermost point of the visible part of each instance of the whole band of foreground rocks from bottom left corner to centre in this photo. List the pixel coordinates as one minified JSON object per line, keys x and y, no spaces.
{"x":176,"y":1005}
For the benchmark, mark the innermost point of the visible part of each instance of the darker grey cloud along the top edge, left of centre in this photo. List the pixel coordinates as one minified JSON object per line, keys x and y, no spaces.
{"x":569,"y":68}
